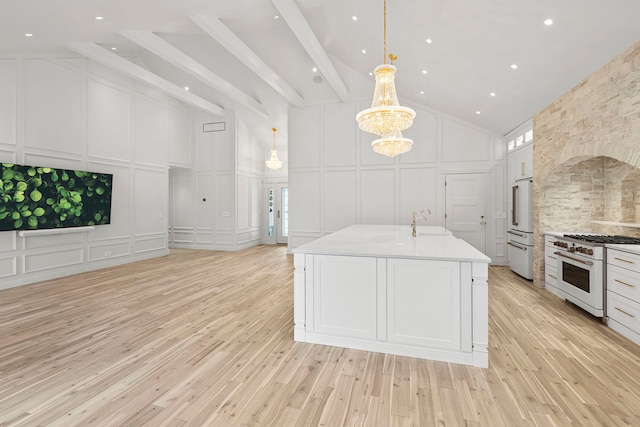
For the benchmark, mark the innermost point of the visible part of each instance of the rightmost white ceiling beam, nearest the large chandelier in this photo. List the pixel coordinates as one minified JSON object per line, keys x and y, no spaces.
{"x":300,"y":27}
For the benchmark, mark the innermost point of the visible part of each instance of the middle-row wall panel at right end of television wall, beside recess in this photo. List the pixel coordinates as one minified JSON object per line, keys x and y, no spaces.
{"x":149,"y":201}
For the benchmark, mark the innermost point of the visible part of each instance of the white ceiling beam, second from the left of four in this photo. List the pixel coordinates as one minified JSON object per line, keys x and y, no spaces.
{"x":174,"y":56}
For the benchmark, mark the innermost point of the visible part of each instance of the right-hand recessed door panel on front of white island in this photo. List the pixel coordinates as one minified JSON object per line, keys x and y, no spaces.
{"x":425,"y":300}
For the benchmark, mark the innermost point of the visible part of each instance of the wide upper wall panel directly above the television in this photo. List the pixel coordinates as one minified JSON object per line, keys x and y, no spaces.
{"x":55,"y":114}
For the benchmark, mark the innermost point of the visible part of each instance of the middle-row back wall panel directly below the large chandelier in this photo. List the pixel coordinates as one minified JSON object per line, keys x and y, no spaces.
{"x":377,"y":196}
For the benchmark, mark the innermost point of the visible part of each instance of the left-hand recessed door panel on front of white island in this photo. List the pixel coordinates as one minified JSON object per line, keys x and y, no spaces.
{"x":344,"y":296}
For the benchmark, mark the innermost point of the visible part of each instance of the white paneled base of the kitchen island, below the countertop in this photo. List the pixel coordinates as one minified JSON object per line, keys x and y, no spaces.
{"x":430,"y":309}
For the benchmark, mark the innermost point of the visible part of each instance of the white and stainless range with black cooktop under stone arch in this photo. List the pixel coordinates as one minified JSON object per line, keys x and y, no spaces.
{"x":581,"y":269}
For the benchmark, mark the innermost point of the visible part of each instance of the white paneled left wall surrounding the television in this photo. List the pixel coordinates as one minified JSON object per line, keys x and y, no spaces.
{"x":75,"y":114}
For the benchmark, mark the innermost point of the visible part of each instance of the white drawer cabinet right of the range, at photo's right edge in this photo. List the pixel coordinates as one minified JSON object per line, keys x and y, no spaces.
{"x":623,"y":293}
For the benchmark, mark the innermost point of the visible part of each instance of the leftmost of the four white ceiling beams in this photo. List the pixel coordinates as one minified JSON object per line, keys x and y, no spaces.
{"x":105,"y":57}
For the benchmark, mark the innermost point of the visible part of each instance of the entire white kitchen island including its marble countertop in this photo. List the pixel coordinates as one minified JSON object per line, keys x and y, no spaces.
{"x":376,"y":288}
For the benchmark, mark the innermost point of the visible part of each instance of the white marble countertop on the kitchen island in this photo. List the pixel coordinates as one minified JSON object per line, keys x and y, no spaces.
{"x":394,"y":241}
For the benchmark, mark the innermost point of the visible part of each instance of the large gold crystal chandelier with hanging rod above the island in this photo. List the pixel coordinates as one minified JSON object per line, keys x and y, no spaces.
{"x":386,"y":117}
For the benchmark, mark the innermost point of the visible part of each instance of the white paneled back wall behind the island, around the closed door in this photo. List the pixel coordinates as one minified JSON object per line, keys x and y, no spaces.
{"x":336,"y":180}
